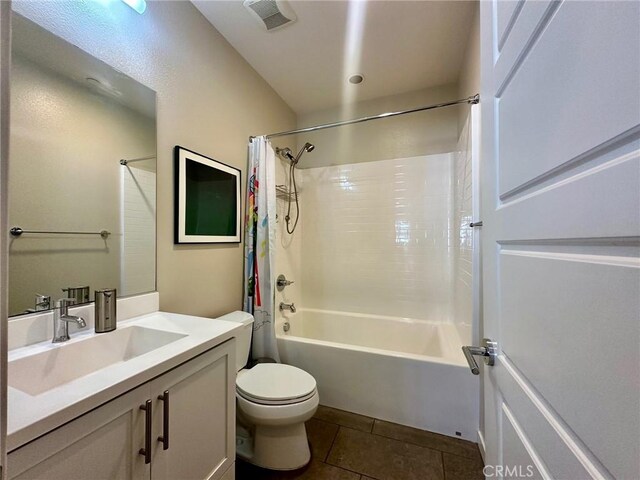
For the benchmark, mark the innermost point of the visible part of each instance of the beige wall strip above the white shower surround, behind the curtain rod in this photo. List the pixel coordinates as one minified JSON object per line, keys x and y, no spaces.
{"x":411,"y":135}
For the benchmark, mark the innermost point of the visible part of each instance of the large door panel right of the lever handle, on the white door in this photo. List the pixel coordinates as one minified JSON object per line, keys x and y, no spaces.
{"x":577,"y":367}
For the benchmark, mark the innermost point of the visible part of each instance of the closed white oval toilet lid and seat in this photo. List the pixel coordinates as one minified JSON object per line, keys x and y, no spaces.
{"x":275,"y":382}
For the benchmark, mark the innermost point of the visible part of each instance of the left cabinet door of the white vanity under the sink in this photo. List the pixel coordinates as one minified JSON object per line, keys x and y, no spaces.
{"x":102,"y":444}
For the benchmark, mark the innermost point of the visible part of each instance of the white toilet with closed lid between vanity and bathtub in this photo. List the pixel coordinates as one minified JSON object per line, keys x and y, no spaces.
{"x":273,"y":401}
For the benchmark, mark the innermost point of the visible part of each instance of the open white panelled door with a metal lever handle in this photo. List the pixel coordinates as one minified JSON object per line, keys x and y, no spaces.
{"x":560,"y":102}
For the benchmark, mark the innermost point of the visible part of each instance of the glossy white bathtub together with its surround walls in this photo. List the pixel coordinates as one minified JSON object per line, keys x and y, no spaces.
{"x":387,"y":276}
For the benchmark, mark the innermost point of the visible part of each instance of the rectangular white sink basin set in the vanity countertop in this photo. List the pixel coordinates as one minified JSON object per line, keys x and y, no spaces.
{"x":66,"y":362}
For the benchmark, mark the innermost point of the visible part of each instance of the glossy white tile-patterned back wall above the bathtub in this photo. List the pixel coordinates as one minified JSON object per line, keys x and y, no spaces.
{"x":376,"y":237}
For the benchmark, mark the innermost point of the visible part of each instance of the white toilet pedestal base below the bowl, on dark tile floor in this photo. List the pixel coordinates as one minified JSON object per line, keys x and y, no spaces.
{"x":278,"y":448}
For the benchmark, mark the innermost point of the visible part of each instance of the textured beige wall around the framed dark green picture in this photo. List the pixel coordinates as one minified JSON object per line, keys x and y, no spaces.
{"x":209,"y":100}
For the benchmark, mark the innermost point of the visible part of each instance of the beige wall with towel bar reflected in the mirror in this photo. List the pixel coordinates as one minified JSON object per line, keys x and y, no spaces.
{"x":61,"y":132}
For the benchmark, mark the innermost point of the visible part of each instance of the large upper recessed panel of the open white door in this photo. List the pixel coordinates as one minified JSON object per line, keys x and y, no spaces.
{"x":541,"y":129}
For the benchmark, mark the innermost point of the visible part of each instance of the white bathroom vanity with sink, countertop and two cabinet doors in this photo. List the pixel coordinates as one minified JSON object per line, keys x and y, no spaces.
{"x":154,"y":399}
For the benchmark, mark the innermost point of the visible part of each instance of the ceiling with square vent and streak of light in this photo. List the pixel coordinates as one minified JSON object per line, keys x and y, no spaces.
{"x":399,"y":46}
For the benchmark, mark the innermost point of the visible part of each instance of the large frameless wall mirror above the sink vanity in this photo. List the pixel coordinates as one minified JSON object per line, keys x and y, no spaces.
{"x":82,"y":175}
